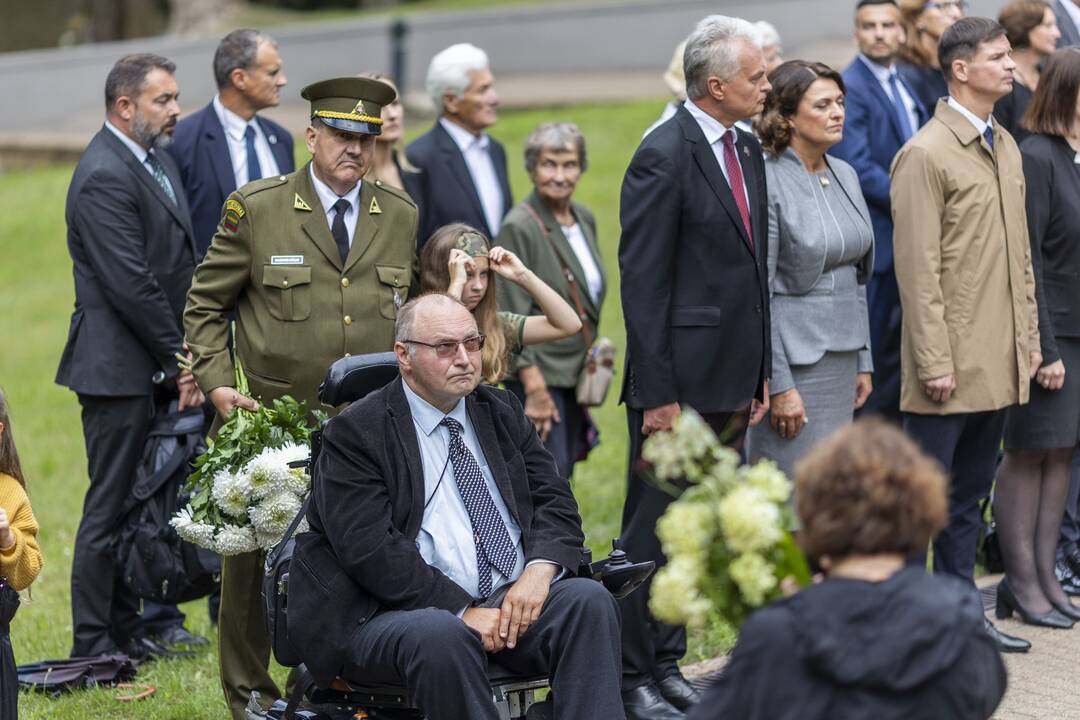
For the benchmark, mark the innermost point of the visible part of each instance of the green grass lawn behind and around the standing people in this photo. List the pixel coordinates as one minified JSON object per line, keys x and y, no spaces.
{"x":37,"y":293}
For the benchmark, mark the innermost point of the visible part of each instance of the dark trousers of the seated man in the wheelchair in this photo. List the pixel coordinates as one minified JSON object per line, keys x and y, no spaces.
{"x":442,"y":661}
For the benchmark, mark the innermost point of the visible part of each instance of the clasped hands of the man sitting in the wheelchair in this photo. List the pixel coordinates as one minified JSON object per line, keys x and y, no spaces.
{"x":501,"y":628}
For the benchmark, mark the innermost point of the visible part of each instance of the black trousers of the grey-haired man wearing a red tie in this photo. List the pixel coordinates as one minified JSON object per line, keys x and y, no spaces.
{"x":652,"y":649}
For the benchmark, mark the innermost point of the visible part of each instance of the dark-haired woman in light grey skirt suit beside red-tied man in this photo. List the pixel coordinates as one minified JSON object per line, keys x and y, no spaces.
{"x":821,"y":254}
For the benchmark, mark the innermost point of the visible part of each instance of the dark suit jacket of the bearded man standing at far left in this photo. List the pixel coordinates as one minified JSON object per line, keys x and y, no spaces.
{"x":133,"y":256}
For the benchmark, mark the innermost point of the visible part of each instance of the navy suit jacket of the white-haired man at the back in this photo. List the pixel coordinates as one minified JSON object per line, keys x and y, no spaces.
{"x":445,"y":192}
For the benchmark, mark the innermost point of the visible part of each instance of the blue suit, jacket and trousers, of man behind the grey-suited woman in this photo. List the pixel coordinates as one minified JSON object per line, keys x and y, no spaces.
{"x":872,"y":138}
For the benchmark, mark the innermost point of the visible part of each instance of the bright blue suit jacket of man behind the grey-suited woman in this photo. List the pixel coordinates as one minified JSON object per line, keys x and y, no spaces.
{"x":872,"y":139}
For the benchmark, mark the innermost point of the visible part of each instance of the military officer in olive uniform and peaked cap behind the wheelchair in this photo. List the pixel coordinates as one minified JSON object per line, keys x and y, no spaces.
{"x":315,"y":265}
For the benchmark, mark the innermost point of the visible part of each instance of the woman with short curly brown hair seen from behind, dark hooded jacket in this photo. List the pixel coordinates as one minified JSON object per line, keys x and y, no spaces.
{"x":880,"y":639}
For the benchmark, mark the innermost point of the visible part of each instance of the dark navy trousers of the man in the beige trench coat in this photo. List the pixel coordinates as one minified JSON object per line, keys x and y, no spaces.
{"x":967,"y":446}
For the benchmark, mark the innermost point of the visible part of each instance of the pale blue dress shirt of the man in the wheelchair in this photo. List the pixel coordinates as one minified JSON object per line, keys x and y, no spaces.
{"x":447,"y":537}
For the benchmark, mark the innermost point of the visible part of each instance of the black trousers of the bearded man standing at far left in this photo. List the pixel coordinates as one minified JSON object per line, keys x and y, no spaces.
{"x":104,"y":613}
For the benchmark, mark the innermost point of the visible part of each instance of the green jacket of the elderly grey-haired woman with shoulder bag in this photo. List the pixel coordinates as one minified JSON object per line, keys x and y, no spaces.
{"x":560,"y":362}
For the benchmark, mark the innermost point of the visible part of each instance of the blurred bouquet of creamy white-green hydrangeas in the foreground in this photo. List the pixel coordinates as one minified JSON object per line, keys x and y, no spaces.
{"x":728,"y":537}
